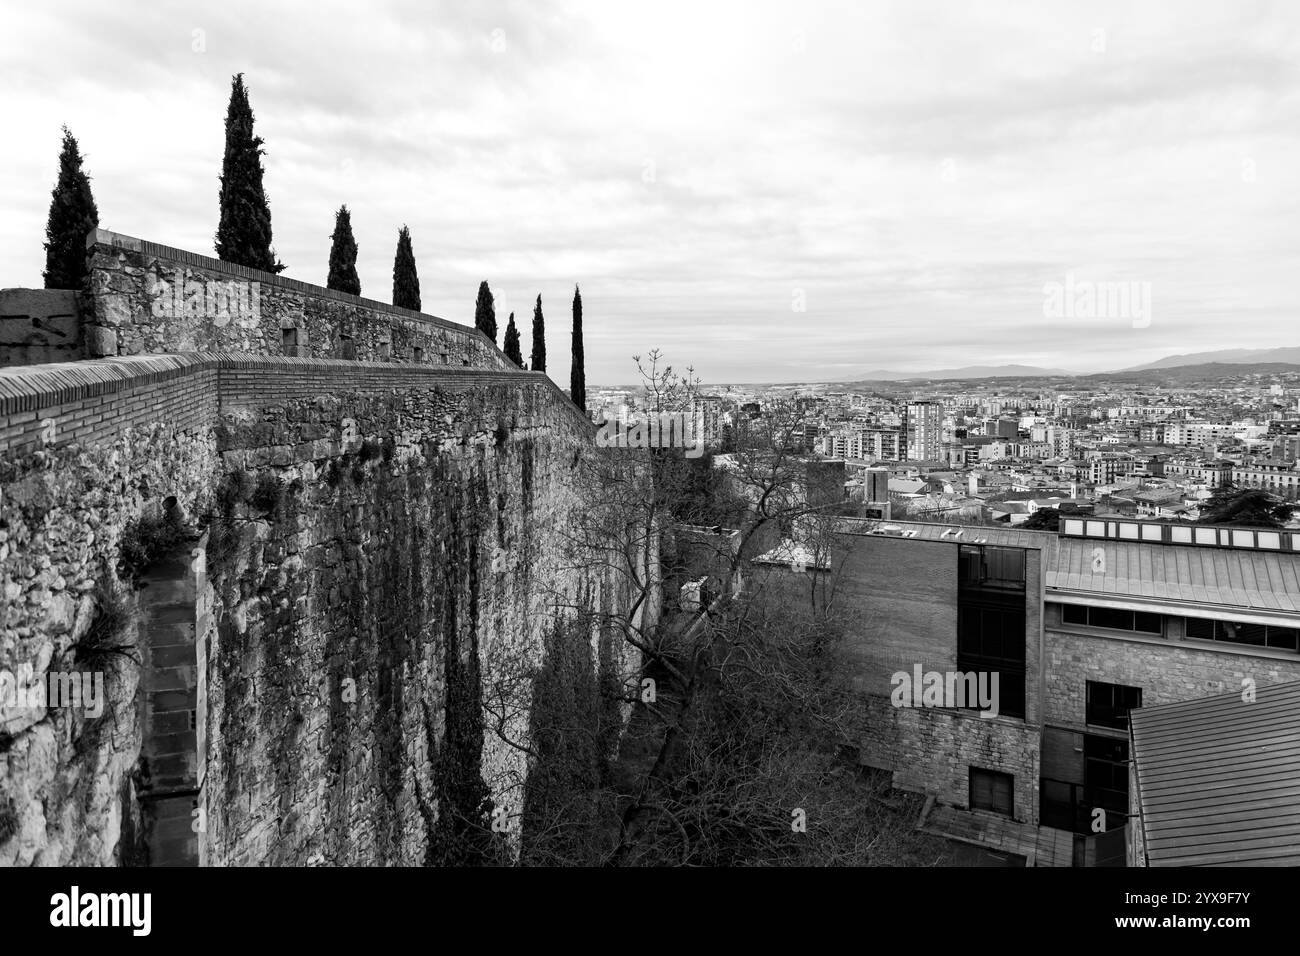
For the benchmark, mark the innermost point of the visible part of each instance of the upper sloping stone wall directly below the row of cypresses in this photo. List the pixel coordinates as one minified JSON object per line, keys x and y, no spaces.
{"x":150,"y":299}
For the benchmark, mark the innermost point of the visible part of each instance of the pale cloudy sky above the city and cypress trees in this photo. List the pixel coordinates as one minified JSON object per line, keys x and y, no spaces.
{"x":773,"y":192}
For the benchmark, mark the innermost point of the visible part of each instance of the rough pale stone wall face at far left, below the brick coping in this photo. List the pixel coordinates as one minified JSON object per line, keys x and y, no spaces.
{"x":67,"y":789}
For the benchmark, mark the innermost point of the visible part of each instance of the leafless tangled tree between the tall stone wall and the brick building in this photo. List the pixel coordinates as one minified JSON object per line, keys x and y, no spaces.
{"x":735,"y":707}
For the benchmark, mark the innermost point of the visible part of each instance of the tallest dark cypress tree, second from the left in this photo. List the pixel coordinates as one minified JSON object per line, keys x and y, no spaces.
{"x":244,"y":233}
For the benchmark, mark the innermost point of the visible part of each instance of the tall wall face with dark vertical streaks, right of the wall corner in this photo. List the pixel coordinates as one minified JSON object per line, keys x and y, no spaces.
{"x":363,"y":538}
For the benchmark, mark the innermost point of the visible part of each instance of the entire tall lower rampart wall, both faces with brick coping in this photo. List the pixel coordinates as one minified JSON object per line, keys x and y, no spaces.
{"x":352,"y":542}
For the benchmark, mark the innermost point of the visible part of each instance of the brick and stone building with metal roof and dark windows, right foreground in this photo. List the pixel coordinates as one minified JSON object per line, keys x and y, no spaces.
{"x":1081,"y":628}
